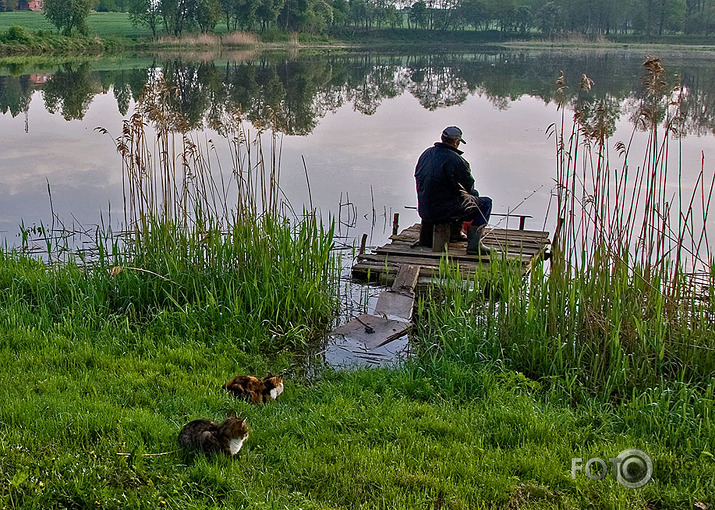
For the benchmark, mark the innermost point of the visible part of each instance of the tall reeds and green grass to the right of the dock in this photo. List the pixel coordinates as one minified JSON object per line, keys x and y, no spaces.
{"x":619,"y":313}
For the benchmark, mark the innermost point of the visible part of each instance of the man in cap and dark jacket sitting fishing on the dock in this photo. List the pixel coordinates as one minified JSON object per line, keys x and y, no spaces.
{"x":446,"y":193}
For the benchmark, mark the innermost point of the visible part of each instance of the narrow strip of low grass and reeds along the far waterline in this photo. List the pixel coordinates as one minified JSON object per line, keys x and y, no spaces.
{"x":41,"y":43}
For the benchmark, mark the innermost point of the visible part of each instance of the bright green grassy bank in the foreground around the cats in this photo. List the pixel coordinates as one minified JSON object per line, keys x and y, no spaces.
{"x":82,"y":383}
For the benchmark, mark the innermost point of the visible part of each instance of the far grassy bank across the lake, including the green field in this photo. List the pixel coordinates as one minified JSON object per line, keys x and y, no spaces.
{"x":113,"y":32}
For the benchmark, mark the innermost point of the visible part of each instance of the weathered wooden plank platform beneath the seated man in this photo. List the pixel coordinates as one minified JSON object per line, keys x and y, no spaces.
{"x":521,"y":246}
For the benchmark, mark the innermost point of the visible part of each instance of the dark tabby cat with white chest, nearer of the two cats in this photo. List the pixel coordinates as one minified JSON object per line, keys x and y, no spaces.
{"x":209,"y":437}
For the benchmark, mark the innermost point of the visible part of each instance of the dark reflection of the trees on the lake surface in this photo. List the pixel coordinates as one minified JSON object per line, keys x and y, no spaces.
{"x":291,"y":96}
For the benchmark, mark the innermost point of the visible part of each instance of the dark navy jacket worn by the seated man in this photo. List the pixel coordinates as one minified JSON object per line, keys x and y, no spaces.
{"x":439,"y":173}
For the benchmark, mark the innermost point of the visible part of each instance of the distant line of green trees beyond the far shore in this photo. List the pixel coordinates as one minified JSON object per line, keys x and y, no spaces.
{"x":548,"y":18}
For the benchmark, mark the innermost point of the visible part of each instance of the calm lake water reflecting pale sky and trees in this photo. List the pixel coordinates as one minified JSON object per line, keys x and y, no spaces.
{"x":356,"y":121}
